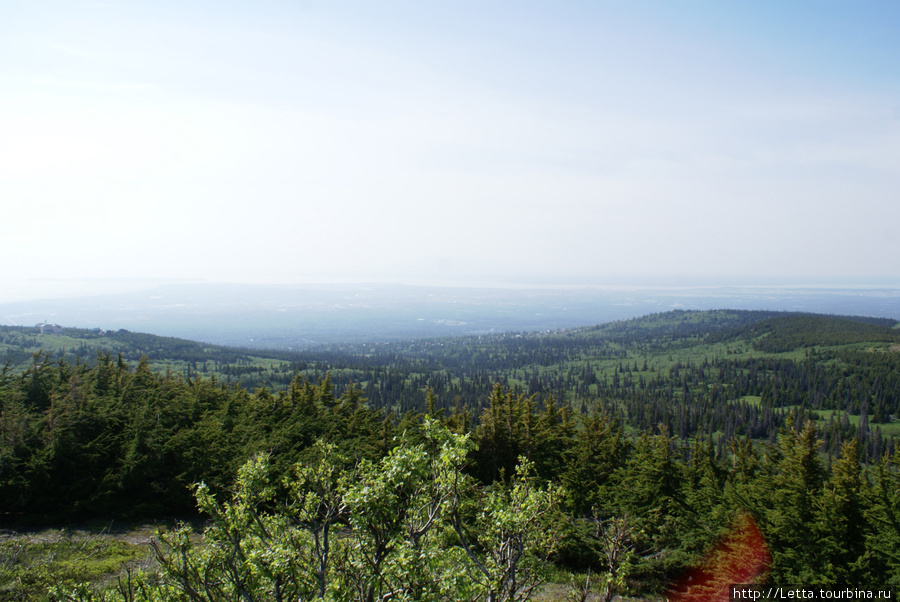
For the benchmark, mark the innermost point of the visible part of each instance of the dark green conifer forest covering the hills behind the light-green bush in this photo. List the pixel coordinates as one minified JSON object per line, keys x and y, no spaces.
{"x":659,"y":436}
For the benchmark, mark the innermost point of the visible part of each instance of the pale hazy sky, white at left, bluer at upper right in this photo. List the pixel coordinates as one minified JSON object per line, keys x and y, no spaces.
{"x":547,"y":142}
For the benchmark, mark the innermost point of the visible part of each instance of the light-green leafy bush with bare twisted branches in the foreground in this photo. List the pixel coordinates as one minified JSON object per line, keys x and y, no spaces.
{"x":411,"y":526}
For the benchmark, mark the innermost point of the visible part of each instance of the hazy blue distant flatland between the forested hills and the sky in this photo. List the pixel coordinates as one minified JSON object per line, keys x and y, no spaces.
{"x":295,"y":317}
